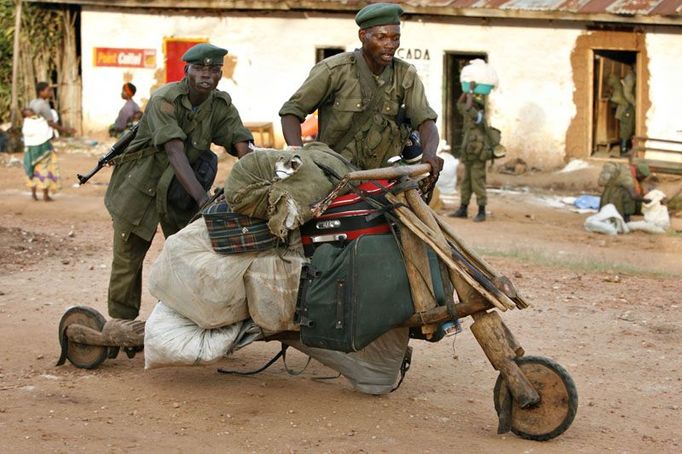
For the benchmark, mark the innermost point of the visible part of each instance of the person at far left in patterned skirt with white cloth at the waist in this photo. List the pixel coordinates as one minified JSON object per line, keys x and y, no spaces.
{"x":40,"y":160}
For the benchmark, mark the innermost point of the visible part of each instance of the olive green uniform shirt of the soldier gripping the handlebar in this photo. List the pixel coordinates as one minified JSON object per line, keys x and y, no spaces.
{"x":341,"y":87}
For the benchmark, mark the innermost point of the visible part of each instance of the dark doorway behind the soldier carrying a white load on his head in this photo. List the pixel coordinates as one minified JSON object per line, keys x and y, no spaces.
{"x":452,"y":120}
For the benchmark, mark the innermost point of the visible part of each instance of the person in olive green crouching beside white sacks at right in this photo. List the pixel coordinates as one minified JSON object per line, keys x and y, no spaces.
{"x":622,"y":187}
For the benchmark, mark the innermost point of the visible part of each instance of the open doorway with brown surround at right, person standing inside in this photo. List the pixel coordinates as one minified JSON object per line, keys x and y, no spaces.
{"x":614,"y":101}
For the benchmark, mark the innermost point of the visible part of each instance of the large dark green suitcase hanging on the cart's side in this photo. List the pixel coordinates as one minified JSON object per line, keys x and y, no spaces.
{"x":352,"y":295}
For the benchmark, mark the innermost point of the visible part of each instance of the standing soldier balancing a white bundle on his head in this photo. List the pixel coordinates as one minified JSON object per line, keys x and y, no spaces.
{"x":478,"y":146}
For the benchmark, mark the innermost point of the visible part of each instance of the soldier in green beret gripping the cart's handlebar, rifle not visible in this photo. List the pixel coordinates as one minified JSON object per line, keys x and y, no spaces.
{"x":363,"y":98}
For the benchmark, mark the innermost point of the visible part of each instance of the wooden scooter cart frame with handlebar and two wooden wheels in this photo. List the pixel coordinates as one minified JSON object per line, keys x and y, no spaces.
{"x":534,"y":396}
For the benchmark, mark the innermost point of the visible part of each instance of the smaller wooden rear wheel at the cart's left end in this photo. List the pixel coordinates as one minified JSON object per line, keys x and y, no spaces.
{"x":82,"y":355}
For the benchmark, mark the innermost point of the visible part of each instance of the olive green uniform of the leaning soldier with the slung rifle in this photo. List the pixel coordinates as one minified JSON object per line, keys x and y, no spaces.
{"x":136,"y":196}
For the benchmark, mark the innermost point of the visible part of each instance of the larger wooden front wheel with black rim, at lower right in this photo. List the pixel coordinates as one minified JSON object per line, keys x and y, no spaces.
{"x":558,"y":400}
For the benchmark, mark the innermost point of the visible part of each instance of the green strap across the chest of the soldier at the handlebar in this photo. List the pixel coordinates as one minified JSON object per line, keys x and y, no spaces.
{"x":369,"y":91}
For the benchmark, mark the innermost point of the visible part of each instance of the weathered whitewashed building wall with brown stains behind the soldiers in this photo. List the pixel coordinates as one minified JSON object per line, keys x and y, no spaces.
{"x":536,"y":105}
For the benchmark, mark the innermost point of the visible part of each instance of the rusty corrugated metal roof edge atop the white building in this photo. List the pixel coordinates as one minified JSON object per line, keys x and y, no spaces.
{"x":667,"y":12}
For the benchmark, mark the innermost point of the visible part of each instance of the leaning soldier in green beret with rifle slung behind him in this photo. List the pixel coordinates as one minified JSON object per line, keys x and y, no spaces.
{"x":181,"y":121}
